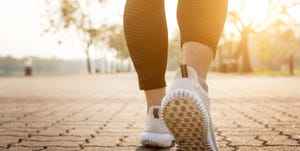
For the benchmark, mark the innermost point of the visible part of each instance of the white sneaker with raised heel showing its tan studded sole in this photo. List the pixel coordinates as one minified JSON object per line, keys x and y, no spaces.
{"x":186,"y":112}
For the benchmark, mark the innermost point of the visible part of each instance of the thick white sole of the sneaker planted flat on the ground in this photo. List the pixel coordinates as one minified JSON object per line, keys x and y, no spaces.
{"x":155,"y":140}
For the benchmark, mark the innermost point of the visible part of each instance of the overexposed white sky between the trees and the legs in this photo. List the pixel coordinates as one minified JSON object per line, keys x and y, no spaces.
{"x":26,"y":40}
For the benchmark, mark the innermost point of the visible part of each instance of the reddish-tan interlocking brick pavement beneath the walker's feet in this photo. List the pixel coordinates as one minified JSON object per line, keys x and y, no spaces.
{"x":106,"y":112}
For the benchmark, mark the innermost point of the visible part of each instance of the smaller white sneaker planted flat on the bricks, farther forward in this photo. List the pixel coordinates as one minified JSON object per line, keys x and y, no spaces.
{"x":156,"y":133}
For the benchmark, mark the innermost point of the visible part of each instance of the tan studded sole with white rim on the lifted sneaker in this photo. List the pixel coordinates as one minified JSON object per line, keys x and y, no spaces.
{"x":186,"y":117}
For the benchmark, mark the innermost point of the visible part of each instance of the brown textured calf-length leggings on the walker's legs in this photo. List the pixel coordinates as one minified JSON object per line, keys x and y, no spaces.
{"x":147,"y":36}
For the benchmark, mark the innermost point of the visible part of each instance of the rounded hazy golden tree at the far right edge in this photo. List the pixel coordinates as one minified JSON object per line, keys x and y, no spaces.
{"x":276,"y":48}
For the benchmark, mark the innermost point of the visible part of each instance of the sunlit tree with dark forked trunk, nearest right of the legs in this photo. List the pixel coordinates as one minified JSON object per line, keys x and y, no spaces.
{"x":245,"y":25}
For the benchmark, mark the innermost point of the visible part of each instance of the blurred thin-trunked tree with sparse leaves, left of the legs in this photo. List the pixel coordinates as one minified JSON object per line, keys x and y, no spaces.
{"x":73,"y":17}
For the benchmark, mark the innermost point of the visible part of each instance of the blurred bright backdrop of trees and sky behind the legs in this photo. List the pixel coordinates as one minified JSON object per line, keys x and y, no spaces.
{"x":51,"y":37}
